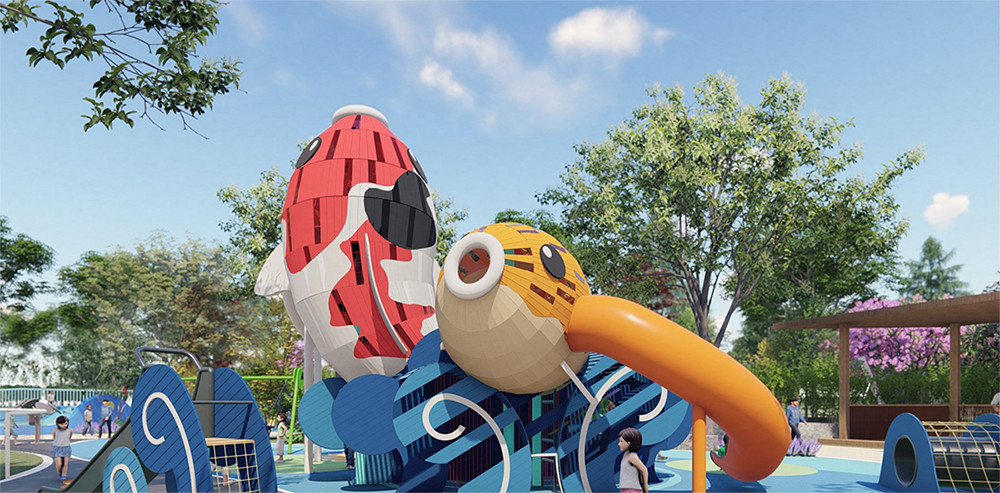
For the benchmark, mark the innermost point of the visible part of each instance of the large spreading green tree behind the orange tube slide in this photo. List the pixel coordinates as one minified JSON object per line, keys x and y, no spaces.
{"x":717,"y":192}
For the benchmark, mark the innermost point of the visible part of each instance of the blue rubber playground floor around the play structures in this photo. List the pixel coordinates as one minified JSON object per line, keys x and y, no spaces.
{"x":796,"y":474}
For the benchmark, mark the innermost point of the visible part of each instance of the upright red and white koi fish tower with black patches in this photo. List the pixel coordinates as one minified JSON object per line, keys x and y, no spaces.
{"x":356,"y":265}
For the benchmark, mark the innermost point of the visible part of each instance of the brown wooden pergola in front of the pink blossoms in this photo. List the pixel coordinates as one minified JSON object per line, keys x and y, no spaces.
{"x":952,"y":313}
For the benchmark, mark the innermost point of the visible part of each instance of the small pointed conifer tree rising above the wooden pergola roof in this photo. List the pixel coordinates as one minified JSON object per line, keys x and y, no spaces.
{"x":931,"y":277}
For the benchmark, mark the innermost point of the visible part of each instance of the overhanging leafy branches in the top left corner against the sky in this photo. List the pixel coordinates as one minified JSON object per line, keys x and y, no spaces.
{"x":150,"y":48}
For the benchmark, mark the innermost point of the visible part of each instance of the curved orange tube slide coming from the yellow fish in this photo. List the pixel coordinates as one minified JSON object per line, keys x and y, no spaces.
{"x":696,"y":371}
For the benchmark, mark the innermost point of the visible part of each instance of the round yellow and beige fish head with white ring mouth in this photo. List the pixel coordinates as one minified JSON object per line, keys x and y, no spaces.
{"x":504,"y":298}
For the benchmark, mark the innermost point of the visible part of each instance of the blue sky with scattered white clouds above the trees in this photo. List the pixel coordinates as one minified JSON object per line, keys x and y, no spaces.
{"x":492,"y":97}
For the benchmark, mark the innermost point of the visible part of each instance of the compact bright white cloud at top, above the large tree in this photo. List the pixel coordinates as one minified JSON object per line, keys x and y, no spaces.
{"x":612,"y":33}
